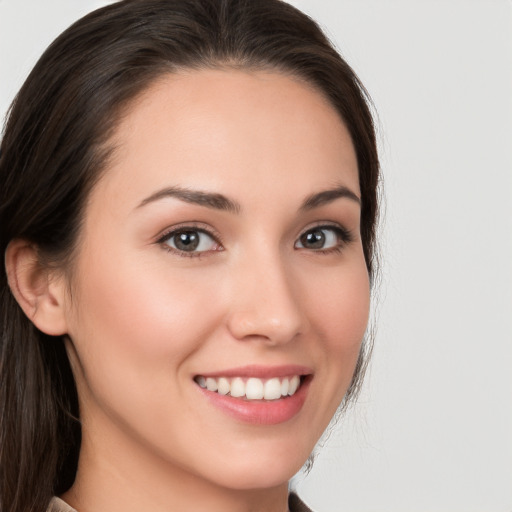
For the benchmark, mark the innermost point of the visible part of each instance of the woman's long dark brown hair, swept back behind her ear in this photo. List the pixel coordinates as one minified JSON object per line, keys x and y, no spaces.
{"x":54,"y":147}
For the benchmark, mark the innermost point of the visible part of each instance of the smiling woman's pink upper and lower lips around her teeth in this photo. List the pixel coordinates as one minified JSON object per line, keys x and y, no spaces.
{"x":261,"y":412}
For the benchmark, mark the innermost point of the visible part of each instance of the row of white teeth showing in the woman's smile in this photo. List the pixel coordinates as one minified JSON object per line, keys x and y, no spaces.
{"x":252,"y":388}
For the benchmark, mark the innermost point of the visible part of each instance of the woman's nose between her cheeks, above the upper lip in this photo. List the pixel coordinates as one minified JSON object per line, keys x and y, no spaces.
{"x":266,"y":302}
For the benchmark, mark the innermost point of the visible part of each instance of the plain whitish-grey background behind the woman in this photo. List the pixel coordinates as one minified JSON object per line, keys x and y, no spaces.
{"x":433,"y":429}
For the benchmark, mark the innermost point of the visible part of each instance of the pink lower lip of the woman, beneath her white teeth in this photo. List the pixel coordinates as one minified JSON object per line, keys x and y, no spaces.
{"x":260,"y":412}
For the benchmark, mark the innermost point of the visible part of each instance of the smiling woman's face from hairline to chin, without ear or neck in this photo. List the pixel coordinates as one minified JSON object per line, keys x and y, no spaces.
{"x":219,"y":292}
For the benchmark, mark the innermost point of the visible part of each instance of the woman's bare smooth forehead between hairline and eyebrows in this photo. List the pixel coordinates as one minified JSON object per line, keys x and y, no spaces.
{"x":240,"y":133}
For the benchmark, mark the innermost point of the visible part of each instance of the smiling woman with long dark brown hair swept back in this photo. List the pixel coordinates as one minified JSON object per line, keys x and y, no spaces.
{"x":188,"y":212}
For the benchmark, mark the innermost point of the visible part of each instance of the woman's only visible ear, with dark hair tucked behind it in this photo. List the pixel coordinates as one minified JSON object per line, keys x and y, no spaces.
{"x":39,"y":291}
